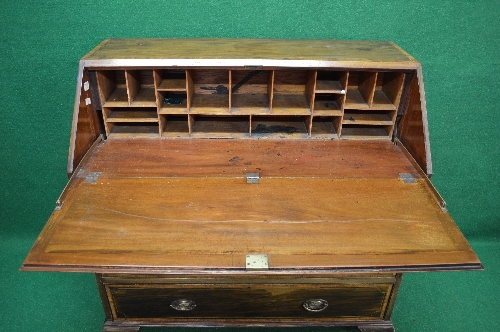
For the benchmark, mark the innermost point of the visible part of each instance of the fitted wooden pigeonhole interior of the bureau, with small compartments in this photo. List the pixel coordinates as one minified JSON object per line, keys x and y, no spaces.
{"x":247,"y":103}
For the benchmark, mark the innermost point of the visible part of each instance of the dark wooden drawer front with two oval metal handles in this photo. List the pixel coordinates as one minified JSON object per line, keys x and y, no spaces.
{"x":367,"y":301}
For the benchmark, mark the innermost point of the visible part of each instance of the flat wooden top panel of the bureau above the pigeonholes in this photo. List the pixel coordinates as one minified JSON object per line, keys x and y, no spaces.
{"x":259,"y":51}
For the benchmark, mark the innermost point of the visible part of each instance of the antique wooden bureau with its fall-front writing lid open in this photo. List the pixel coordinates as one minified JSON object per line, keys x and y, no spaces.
{"x":237,"y":182}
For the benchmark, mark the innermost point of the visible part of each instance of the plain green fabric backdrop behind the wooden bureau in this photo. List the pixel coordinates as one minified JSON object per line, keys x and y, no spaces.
{"x":458,"y":43}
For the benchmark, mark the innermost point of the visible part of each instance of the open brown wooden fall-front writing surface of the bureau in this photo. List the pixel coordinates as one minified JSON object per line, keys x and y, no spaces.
{"x":153,"y":206}
